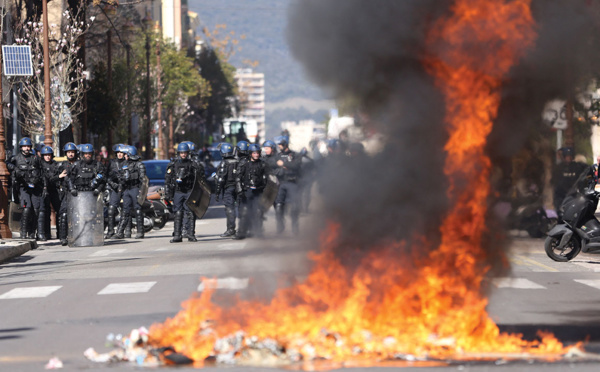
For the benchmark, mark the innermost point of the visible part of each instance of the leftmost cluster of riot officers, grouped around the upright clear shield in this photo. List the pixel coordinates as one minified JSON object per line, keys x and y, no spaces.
{"x":39,"y":182}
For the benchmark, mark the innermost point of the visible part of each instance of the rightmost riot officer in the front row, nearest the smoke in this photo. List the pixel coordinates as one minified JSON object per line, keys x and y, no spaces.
{"x":288,"y":172}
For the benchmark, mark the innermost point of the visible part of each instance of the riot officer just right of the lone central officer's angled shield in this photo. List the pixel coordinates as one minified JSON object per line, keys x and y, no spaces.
{"x":227,"y":185}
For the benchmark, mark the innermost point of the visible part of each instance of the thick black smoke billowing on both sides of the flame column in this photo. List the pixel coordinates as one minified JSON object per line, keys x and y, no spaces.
{"x":372,"y":51}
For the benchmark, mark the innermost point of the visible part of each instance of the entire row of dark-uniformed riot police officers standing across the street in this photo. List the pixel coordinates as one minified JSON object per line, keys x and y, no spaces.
{"x":39,"y":183}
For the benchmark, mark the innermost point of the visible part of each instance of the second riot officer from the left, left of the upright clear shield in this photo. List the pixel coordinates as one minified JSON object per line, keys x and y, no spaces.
{"x":52,"y":194}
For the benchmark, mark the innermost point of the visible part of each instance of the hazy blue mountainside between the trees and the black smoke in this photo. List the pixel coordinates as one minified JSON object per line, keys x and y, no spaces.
{"x":263,"y":23}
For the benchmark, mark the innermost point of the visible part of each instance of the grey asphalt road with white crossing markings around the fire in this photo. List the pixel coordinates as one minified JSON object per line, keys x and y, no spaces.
{"x":58,"y":301}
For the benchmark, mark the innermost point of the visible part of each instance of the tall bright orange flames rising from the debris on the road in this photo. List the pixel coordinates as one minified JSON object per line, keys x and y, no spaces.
{"x":426,"y":305}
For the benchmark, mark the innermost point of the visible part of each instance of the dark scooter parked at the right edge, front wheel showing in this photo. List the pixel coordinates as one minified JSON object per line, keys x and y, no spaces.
{"x":580,"y":231}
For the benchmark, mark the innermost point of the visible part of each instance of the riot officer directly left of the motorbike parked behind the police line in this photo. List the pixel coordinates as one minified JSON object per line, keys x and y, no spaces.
{"x":132,"y":174}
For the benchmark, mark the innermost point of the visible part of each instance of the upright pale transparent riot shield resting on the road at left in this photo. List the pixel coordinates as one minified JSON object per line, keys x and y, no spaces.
{"x":85,"y":214}
